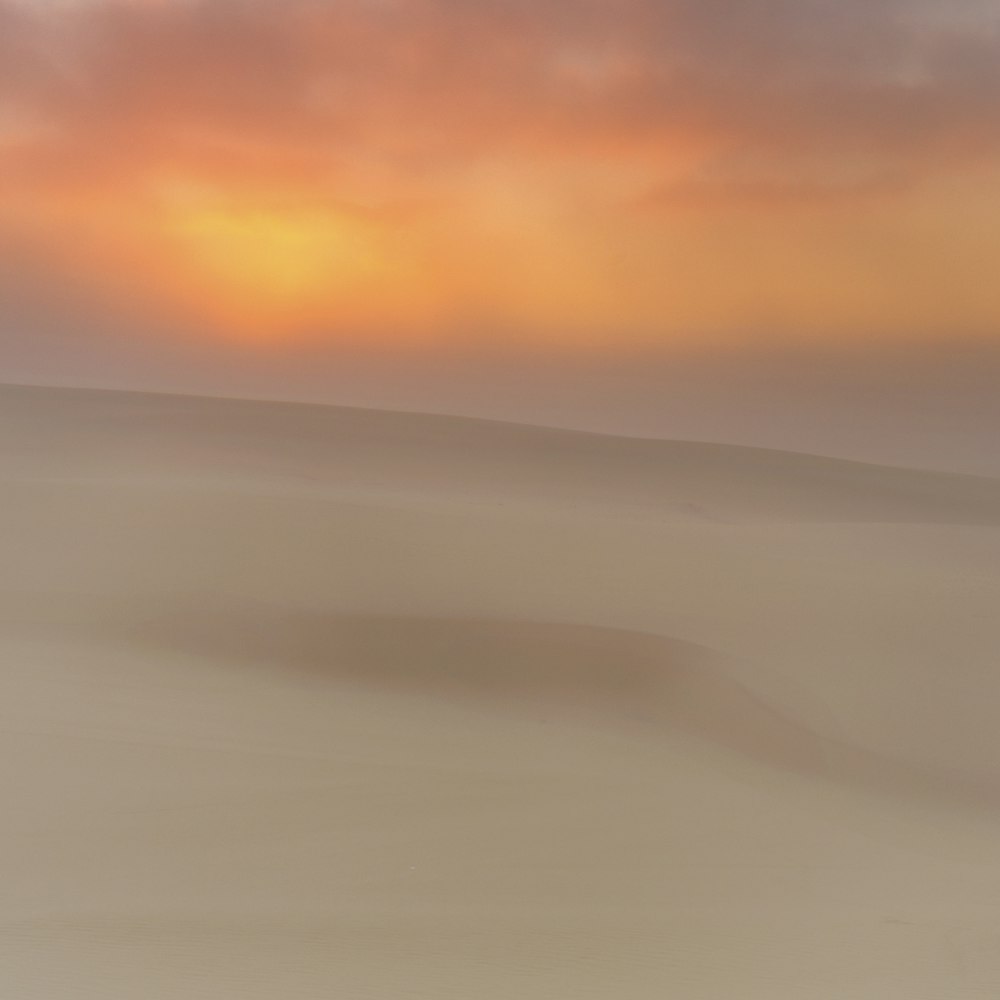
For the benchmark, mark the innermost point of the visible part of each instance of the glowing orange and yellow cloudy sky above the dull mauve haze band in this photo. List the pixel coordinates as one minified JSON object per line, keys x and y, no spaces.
{"x":570,"y":172}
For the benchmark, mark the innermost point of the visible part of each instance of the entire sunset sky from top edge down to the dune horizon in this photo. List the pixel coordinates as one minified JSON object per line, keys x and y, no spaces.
{"x":771,"y":222}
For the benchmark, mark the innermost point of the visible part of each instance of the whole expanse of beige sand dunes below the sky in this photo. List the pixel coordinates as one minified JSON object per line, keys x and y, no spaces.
{"x":311,"y":702}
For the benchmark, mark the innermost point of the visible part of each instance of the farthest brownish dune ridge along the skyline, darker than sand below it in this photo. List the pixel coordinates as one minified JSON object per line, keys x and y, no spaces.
{"x":128,"y":434}
